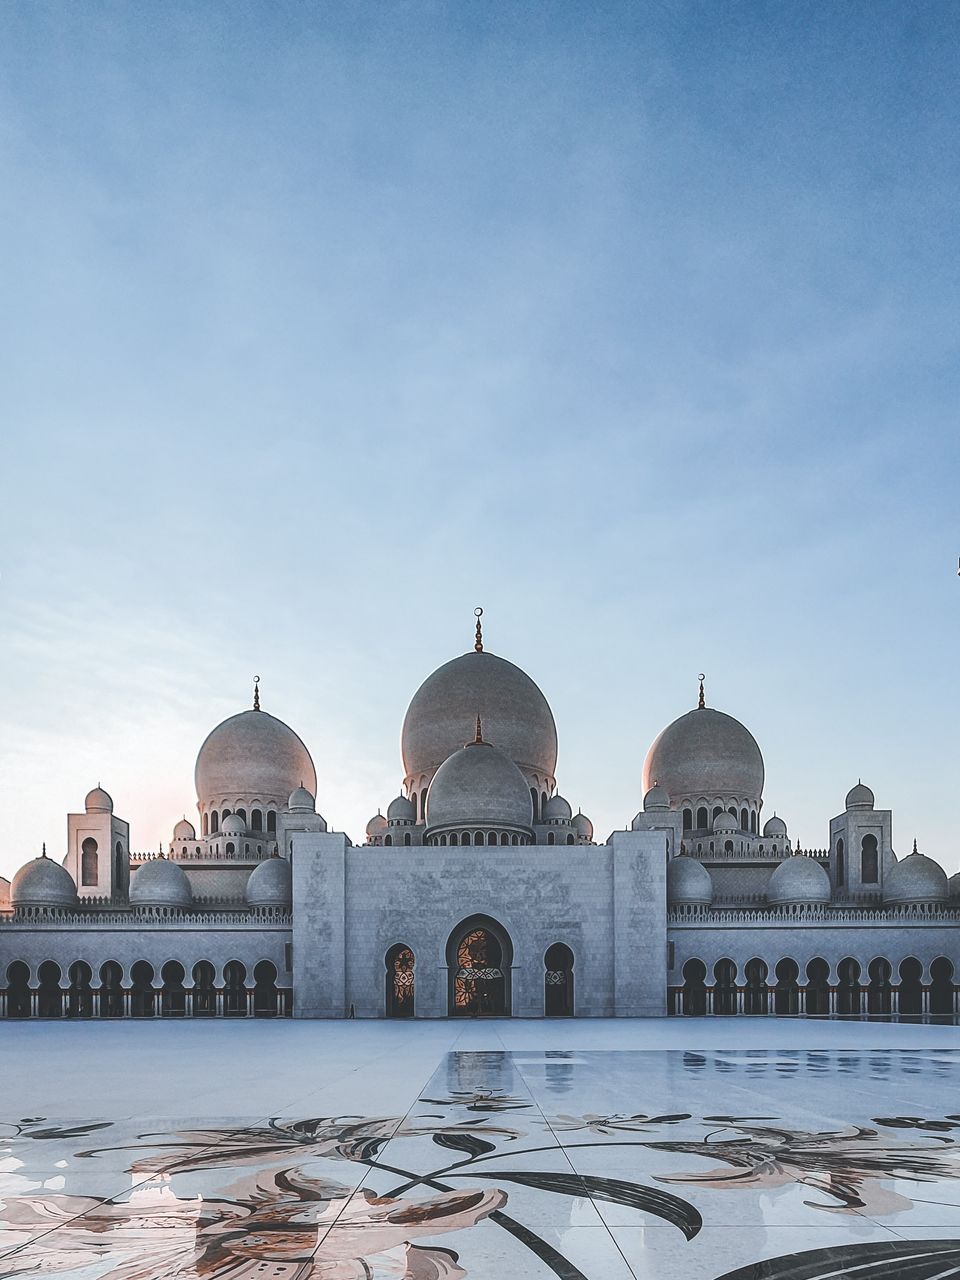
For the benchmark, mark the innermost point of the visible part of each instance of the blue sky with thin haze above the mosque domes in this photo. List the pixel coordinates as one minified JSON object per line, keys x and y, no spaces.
{"x":636,"y":324}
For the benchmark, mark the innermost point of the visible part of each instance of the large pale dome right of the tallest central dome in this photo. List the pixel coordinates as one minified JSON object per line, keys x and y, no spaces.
{"x":706,"y":753}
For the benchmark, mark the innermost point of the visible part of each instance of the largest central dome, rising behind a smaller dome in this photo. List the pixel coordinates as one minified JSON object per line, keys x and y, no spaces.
{"x":444,"y":711}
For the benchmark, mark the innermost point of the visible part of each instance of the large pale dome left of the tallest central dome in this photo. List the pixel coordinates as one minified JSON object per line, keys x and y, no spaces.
{"x":253,"y":757}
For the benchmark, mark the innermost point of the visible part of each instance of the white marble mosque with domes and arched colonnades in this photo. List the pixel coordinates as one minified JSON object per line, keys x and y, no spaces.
{"x":481,"y":890}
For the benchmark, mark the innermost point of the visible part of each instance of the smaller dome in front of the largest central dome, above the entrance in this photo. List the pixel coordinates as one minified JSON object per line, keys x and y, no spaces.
{"x":479,"y":785}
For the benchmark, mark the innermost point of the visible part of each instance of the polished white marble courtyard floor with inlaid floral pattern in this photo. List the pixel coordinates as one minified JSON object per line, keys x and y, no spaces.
{"x":735,"y":1149}
